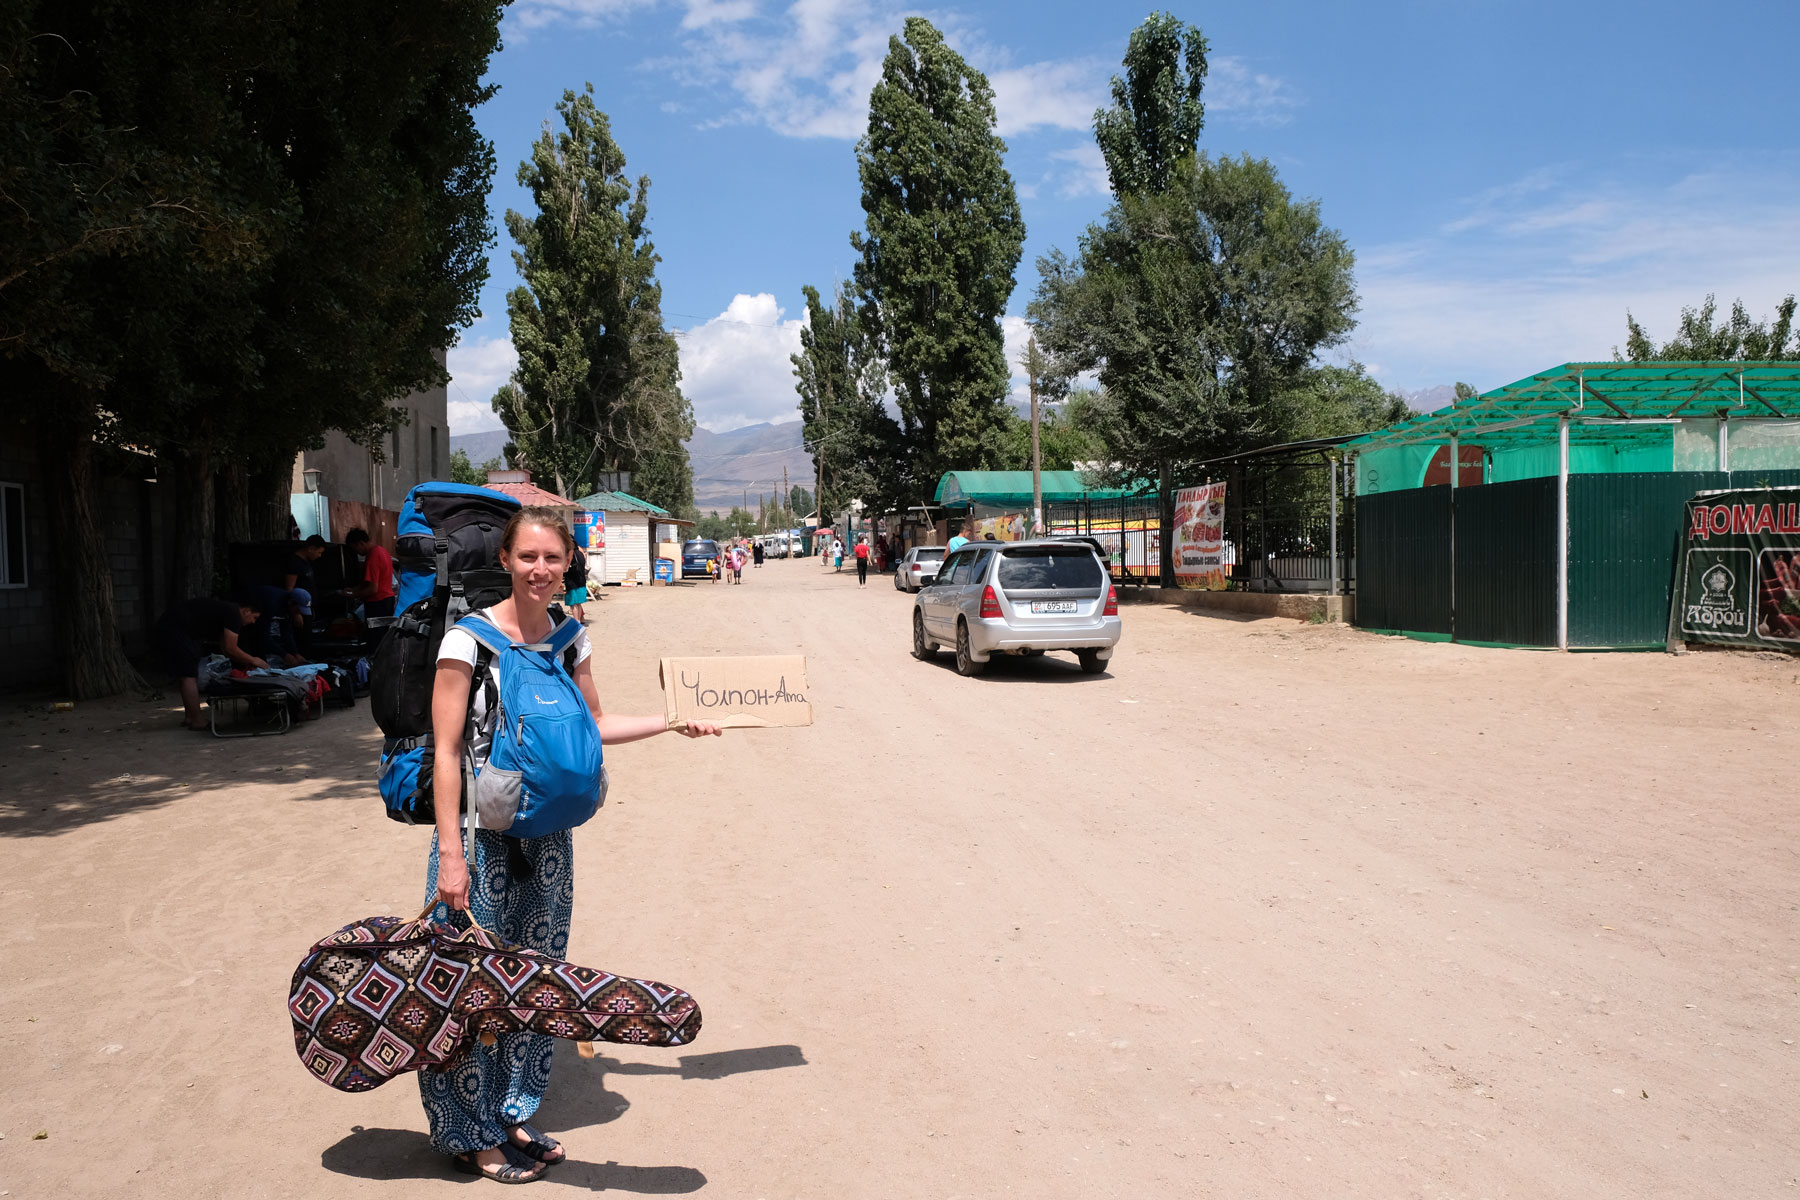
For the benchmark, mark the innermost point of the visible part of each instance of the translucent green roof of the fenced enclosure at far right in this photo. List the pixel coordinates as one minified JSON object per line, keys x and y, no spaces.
{"x":1606,"y":402}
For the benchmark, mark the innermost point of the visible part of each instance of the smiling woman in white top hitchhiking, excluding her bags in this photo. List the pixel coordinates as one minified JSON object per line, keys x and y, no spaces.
{"x":521,"y":890}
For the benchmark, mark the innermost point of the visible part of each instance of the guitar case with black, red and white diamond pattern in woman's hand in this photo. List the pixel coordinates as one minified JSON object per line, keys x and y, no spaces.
{"x":388,"y":996}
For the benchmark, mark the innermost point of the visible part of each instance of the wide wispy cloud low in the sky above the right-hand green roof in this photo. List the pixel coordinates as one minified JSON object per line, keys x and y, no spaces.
{"x":1543,"y":271}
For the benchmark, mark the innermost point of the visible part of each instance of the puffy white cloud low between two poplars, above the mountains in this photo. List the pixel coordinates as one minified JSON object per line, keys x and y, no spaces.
{"x":735,"y":368}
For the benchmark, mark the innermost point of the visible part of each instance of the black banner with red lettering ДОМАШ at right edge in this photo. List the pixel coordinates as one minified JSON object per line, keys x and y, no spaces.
{"x":1740,"y":578}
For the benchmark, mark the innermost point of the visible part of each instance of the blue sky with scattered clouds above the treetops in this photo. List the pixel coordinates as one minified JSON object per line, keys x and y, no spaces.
{"x":1513,"y":175}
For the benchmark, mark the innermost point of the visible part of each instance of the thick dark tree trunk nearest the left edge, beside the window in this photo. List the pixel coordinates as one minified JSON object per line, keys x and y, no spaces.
{"x":87,"y":620}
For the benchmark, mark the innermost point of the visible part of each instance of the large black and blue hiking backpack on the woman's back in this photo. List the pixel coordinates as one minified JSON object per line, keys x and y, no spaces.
{"x":449,"y":564}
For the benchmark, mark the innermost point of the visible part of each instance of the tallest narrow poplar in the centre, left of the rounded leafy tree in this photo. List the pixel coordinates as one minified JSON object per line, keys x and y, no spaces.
{"x":939,"y":251}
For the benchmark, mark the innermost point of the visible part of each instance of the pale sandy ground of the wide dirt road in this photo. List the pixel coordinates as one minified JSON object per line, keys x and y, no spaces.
{"x":1266,"y":911}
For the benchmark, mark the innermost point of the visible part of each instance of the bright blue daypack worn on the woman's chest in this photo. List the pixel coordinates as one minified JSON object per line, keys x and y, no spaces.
{"x":543,"y":771}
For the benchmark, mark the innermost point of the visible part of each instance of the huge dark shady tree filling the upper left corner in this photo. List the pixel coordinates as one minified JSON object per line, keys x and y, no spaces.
{"x":226,"y":231}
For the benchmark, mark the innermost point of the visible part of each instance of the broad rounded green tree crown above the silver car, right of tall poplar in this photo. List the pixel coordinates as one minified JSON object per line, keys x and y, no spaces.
{"x":1200,"y":309}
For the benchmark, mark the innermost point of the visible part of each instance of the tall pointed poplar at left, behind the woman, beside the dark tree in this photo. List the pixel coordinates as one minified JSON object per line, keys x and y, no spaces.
{"x":598,"y":382}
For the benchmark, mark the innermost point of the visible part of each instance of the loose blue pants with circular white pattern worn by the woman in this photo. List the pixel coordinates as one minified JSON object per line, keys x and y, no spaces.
{"x":474,"y":1104}
